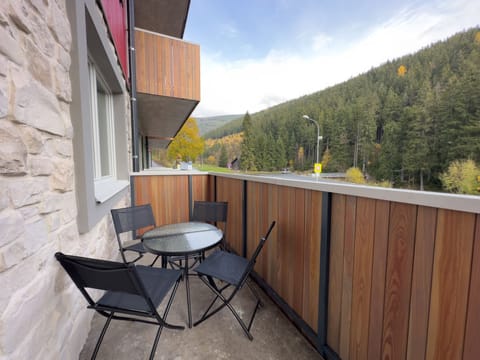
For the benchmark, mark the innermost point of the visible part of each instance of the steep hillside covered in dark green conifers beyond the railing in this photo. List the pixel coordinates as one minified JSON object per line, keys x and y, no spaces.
{"x":404,"y":121}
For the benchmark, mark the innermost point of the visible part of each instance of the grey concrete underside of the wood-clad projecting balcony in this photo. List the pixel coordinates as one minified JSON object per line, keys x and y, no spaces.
{"x":161,"y":117}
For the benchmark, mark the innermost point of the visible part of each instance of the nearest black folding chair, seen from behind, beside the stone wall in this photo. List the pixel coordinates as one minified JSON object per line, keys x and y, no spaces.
{"x":134,"y":291}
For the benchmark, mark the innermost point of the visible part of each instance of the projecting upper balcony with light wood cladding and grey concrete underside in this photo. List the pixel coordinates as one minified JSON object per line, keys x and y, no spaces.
{"x":168,"y":83}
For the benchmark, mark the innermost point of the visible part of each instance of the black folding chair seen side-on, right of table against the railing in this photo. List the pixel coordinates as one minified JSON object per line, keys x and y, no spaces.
{"x":233,"y":271}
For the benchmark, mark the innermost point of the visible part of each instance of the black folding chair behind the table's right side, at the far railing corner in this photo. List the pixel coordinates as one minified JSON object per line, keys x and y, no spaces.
{"x":204,"y":211}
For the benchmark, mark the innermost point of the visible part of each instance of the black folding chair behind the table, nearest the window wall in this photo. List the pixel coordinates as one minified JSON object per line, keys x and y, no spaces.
{"x":132,"y":219}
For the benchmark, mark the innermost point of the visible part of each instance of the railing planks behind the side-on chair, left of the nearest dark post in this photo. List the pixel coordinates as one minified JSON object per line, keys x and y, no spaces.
{"x":290,"y":261}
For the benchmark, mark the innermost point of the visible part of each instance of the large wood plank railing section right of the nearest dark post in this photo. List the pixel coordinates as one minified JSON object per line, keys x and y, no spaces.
{"x":404,"y":281}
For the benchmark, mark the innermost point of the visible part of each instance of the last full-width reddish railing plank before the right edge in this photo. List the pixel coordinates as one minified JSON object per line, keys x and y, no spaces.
{"x":450,"y":284}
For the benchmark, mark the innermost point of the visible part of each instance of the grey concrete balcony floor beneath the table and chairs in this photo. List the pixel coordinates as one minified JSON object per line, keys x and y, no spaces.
{"x":219,"y":337}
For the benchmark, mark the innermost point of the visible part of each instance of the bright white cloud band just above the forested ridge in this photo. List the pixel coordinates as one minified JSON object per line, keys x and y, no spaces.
{"x":253,"y":85}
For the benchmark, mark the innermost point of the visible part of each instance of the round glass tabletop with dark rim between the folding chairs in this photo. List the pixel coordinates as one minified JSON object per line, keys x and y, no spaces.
{"x":181,"y":238}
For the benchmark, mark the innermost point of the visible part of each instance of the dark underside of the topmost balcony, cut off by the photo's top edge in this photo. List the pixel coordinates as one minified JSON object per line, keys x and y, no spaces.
{"x":162,"y":16}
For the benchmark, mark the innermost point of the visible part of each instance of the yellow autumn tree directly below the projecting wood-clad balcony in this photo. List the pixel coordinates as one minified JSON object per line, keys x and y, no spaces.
{"x":187,"y":144}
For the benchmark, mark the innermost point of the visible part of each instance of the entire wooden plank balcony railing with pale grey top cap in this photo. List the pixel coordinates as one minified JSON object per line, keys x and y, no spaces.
{"x":364,"y":273}
